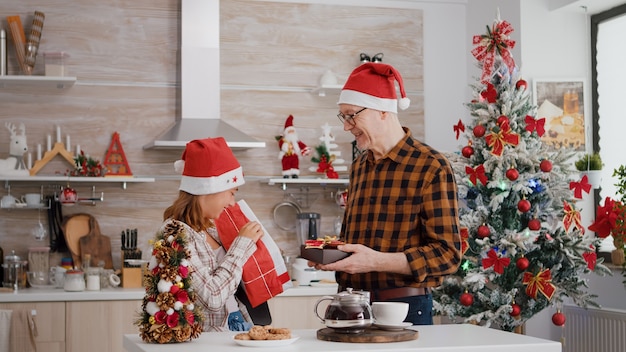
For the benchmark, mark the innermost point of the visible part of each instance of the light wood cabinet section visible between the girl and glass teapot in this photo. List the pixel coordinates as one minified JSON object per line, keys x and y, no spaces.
{"x":296,"y":312}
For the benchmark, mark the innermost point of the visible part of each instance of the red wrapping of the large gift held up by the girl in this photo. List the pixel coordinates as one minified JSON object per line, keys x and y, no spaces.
{"x":260,"y":279}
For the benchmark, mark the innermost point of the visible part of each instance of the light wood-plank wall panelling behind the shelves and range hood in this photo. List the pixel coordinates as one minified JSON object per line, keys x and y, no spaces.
{"x":125,"y":57}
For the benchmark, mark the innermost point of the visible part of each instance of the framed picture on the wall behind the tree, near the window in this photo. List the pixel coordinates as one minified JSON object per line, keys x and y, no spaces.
{"x":561,"y":103}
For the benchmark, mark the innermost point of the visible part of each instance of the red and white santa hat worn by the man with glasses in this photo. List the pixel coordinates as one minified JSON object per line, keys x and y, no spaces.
{"x":372,"y":85}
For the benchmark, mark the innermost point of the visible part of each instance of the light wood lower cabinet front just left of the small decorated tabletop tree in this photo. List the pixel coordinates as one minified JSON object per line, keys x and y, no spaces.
{"x":98,"y":326}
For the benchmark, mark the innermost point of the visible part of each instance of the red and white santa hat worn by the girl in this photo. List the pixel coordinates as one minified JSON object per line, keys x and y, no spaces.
{"x":208,"y":166}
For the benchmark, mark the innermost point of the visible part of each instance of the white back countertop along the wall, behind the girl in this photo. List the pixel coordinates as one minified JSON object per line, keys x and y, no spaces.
{"x":123,"y":294}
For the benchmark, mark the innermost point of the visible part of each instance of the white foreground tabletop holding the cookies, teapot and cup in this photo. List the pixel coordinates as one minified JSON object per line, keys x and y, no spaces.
{"x":452,"y":337}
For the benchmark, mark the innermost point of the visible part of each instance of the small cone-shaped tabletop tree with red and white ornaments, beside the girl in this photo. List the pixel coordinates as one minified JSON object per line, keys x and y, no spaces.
{"x":169,"y":313}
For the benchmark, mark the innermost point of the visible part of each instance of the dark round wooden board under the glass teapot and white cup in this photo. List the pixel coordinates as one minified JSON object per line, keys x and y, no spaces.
{"x":370,"y":335}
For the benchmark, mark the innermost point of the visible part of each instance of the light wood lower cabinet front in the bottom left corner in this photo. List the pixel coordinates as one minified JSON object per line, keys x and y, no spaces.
{"x":49,"y":319}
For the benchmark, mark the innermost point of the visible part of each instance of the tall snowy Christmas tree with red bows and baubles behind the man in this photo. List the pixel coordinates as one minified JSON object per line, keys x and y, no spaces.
{"x":524,"y":247}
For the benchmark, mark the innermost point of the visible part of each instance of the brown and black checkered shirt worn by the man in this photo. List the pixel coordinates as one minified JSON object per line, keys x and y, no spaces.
{"x":404,"y":202}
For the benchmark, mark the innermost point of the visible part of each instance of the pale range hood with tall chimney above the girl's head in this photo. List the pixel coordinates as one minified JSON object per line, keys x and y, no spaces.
{"x":200,"y":82}
